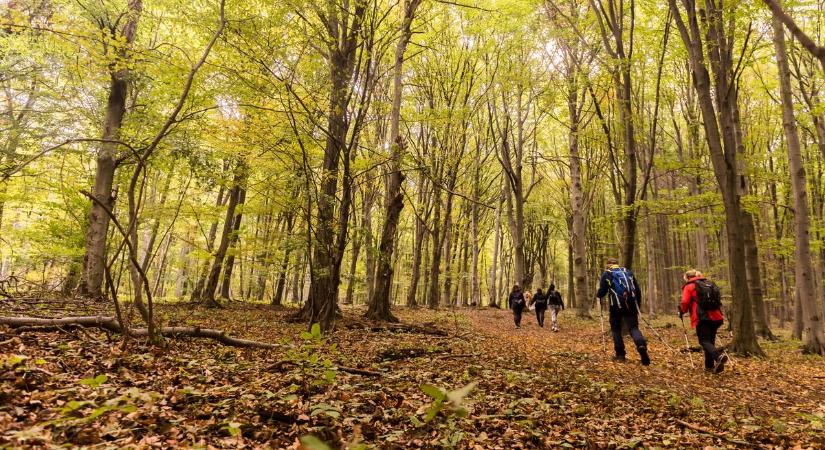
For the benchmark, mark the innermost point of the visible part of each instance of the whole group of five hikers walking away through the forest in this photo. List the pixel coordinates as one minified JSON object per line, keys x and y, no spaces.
{"x":701,"y":299}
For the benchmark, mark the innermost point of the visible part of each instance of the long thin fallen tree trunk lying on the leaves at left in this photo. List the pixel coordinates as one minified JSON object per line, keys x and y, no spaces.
{"x":111,"y":324}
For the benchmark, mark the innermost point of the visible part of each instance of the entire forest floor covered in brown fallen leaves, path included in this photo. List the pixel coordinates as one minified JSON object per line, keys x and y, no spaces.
{"x":527,"y":388}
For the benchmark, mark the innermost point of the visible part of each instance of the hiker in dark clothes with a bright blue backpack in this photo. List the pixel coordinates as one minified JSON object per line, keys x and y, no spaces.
{"x":625,"y":296}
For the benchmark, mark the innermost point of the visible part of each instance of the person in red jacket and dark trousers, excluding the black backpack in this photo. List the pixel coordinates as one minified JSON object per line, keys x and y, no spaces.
{"x":706,"y":323}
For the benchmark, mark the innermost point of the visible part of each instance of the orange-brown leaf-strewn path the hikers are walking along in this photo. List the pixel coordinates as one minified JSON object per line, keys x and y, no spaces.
{"x":754,"y":400}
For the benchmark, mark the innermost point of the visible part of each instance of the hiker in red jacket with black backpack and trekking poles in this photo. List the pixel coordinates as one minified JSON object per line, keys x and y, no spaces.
{"x":702,"y":299}
